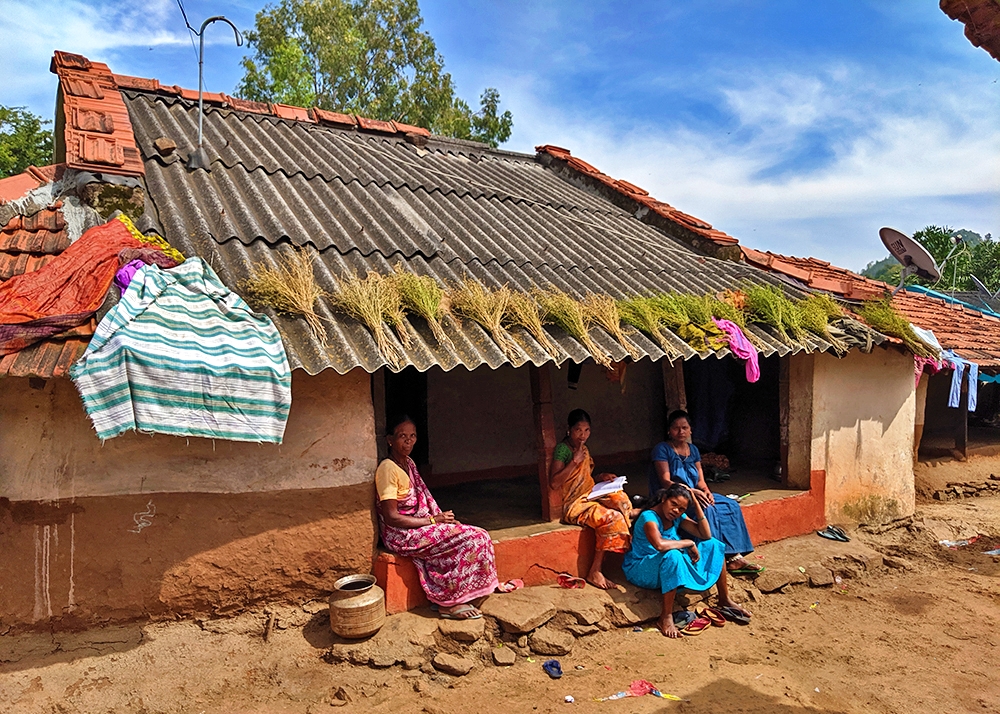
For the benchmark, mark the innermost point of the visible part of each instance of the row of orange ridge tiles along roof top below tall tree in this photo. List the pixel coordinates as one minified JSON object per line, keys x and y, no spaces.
{"x":314,"y":115}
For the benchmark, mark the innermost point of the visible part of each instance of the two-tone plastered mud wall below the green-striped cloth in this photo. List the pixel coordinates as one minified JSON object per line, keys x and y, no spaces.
{"x":160,"y":526}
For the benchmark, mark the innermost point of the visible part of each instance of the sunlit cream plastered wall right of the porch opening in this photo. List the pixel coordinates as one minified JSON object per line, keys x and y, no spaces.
{"x":863,"y":414}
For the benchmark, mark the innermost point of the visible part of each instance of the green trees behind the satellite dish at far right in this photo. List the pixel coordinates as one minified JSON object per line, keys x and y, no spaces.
{"x":975,"y":255}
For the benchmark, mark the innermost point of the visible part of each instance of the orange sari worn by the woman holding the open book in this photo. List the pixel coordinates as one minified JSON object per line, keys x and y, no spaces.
{"x":609,"y":516}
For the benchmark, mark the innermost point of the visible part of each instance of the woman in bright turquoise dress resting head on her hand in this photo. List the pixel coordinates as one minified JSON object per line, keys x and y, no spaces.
{"x":661,"y":559}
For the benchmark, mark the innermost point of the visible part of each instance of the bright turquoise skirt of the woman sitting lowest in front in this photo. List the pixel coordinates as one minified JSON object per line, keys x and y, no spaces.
{"x":673,"y":569}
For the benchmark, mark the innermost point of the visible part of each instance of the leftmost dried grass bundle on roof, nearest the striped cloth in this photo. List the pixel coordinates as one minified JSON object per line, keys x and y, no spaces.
{"x":290,"y":288}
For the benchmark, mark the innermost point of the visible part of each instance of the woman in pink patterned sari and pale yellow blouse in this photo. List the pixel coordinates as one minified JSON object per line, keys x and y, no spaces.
{"x":454,"y":561}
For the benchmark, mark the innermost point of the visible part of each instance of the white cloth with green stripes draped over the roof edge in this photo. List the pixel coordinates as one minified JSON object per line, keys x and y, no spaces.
{"x":182,"y":354}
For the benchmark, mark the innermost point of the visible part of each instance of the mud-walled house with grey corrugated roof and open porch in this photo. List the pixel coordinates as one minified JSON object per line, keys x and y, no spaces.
{"x":164,"y":526}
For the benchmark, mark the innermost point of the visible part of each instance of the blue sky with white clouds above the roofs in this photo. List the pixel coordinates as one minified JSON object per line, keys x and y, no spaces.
{"x":797,"y":127}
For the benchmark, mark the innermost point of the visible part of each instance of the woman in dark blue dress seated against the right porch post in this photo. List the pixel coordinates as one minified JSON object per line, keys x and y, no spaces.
{"x":678,"y":461}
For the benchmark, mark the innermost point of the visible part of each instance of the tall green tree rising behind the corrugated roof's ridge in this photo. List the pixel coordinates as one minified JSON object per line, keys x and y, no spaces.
{"x":366,"y":57}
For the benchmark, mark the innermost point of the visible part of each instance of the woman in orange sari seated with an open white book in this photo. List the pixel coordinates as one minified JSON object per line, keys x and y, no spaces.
{"x":572,"y":471}
